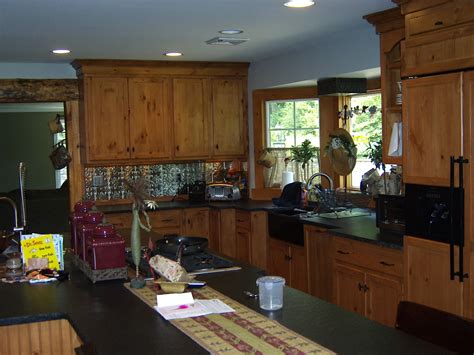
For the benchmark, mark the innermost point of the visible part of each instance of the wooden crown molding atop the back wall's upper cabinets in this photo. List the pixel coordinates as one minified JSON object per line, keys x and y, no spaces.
{"x":162,"y":68}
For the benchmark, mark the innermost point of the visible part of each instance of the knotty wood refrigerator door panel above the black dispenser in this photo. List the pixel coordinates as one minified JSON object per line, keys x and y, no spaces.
{"x":432,"y":129}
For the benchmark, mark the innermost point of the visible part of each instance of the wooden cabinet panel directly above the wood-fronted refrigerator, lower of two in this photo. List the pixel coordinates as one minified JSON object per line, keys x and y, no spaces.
{"x":451,"y":49}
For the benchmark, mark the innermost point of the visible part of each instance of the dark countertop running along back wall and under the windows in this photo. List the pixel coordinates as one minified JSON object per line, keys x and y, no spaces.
{"x":360,"y":228}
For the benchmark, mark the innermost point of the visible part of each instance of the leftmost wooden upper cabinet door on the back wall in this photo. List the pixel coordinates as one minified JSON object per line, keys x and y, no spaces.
{"x":106,"y":121}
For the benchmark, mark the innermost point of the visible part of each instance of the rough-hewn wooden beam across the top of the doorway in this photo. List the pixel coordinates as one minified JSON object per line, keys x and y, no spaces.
{"x":38,"y":90}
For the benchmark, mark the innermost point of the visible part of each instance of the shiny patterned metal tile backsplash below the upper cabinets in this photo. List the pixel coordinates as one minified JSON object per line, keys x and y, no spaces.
{"x":107,"y":183}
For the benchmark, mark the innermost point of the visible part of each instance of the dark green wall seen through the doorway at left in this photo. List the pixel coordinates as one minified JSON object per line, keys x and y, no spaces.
{"x":26,"y":137}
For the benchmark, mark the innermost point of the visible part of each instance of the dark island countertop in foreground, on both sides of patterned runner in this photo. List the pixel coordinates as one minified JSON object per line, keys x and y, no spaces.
{"x":116,"y":322}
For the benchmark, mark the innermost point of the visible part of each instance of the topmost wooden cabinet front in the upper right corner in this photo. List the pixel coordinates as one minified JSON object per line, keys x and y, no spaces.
{"x":438,"y":18}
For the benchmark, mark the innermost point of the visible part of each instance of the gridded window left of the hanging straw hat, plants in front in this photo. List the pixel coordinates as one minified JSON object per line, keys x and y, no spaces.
{"x":289,"y":123}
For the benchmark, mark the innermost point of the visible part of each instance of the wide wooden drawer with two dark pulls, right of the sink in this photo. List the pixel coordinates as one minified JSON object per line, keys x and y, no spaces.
{"x":375,"y":258}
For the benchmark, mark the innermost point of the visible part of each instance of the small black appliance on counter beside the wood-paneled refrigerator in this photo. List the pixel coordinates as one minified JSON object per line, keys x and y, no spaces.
{"x":390,"y":213}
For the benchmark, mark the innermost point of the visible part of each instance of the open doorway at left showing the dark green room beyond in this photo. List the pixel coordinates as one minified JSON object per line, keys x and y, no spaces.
{"x":26,"y":137}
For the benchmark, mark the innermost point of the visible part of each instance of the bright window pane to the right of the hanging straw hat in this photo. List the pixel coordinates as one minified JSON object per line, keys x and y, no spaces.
{"x":365,"y":127}
